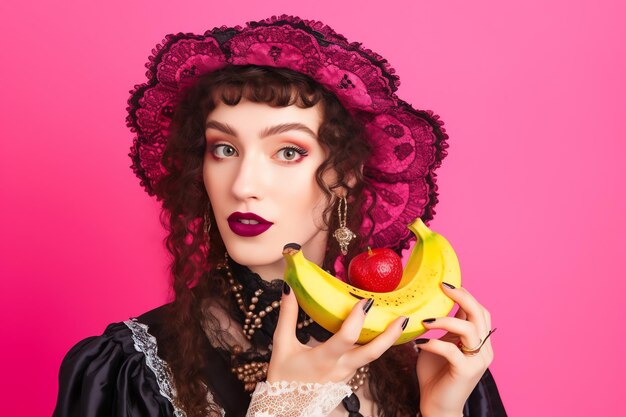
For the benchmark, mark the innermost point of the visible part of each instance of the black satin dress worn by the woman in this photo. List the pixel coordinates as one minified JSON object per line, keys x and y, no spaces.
{"x":120,"y":374}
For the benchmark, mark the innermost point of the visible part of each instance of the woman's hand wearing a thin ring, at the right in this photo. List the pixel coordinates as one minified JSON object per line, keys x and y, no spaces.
{"x":447,"y":376}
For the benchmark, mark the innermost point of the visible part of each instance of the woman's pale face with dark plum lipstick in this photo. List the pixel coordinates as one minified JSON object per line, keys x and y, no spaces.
{"x":259,"y":172}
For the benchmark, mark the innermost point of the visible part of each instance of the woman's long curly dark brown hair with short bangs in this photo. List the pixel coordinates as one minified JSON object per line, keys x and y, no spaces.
{"x":185,"y":202}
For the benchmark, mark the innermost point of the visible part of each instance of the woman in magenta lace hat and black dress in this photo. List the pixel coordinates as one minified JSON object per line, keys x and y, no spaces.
{"x":252,"y":138}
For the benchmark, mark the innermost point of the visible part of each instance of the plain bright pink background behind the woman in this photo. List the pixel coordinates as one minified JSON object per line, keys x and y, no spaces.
{"x":531,"y":197}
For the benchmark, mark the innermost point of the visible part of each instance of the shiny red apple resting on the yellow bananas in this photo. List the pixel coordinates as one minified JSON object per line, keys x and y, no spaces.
{"x":378,"y":270}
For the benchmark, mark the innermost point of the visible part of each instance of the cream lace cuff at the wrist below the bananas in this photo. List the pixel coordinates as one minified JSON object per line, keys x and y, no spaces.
{"x":294,"y":399}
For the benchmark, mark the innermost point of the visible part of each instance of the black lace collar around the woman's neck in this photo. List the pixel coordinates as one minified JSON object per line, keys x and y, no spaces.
{"x":272,"y":291}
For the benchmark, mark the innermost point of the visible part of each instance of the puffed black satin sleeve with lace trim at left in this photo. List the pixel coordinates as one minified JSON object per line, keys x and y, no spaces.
{"x":109,"y":375}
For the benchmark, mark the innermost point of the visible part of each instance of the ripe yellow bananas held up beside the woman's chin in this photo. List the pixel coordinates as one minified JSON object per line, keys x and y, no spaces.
{"x":328,"y":300}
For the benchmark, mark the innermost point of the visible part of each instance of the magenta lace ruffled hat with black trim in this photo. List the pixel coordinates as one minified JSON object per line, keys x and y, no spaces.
{"x":408,"y":144}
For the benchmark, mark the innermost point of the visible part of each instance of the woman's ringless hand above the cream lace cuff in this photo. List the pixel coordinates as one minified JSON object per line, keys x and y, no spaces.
{"x":335,"y":360}
